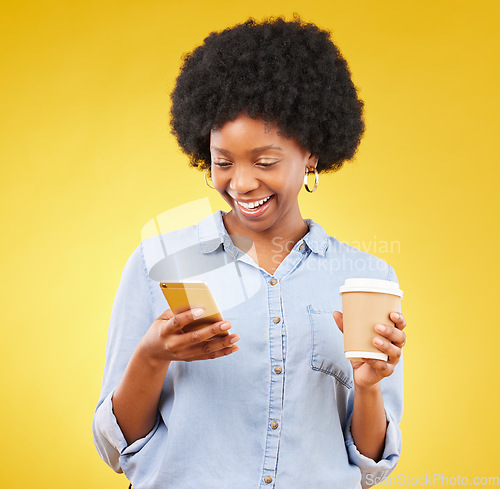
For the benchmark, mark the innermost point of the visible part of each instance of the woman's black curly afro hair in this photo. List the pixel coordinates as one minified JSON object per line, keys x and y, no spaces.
{"x":288,"y":73}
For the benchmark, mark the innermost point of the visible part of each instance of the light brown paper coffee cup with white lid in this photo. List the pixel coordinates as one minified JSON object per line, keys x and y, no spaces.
{"x":365,"y":303}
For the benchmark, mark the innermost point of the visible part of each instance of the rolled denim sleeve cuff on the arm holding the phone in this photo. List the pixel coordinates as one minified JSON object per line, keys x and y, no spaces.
{"x":109,"y":438}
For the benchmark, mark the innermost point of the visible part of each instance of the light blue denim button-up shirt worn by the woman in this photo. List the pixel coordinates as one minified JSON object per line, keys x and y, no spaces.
{"x":275,"y":414}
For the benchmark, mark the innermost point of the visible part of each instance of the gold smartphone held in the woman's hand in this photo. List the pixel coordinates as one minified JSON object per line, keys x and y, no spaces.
{"x":182,"y":296}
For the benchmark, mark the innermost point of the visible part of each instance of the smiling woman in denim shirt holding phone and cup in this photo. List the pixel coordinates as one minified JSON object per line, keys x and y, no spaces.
{"x":259,"y":106}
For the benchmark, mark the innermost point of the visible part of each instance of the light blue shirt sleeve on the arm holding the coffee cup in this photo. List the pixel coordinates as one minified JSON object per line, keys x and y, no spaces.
{"x":392,"y":392}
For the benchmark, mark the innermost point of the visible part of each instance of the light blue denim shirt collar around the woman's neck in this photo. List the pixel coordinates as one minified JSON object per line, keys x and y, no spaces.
{"x":212,"y":233}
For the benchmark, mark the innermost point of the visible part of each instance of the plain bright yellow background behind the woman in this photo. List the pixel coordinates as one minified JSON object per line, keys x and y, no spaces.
{"x":87,"y":160}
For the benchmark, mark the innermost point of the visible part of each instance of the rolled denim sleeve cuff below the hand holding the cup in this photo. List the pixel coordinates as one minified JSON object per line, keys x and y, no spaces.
{"x":375,"y":472}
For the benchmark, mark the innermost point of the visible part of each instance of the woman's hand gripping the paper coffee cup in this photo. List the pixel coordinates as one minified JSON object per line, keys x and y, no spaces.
{"x":369,"y":372}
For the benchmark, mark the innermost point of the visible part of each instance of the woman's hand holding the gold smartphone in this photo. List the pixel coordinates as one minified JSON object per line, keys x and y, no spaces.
{"x":165,"y":340}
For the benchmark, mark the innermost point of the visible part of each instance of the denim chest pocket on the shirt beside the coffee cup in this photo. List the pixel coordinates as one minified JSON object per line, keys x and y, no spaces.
{"x":327,"y":347}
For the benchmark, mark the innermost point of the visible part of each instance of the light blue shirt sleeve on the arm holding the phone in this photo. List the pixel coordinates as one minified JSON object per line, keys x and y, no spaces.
{"x":131,"y":316}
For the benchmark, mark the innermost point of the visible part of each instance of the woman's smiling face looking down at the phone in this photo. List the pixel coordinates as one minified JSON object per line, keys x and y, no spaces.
{"x":259,"y":173}
